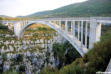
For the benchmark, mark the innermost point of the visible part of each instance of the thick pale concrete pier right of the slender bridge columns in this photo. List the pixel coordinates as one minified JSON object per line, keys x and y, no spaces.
{"x":95,"y":32}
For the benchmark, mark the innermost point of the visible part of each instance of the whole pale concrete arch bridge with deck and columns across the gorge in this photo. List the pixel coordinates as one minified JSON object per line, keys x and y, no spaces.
{"x":81,"y":32}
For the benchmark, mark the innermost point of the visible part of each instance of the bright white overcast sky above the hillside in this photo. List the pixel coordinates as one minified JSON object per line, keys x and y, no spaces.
{"x":25,"y":7}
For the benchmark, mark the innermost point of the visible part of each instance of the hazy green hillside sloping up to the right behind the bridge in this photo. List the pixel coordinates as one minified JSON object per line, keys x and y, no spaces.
{"x":84,"y":9}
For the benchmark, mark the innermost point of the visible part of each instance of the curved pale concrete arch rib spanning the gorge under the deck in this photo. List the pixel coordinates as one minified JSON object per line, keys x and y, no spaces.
{"x":58,"y":29}
